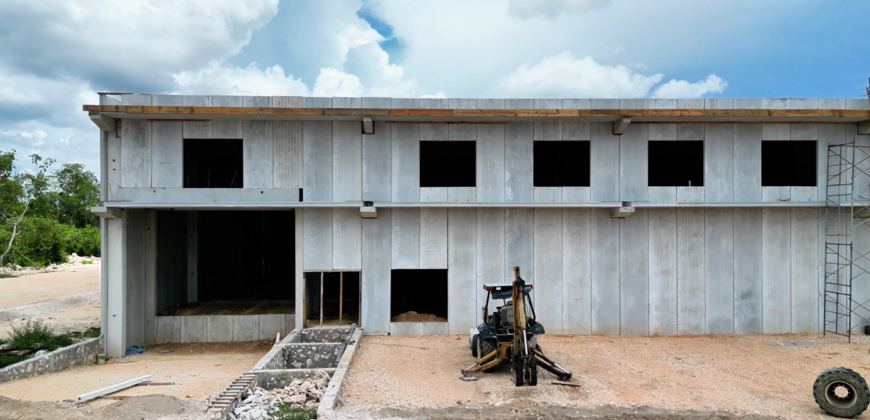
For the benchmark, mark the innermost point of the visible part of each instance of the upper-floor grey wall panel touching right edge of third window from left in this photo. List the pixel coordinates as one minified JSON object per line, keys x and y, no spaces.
{"x":605,"y":168}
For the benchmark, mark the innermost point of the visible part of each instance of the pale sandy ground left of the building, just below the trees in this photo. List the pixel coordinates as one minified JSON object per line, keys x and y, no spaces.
{"x":36,"y":287}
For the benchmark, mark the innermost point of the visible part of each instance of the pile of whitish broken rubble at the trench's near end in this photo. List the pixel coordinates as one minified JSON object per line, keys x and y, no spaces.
{"x":259,"y":402}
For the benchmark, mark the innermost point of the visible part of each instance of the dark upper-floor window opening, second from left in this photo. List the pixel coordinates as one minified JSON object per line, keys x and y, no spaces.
{"x":447,"y":163}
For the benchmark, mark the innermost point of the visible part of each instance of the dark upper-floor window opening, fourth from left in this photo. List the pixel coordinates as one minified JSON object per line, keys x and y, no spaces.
{"x":676,"y":163}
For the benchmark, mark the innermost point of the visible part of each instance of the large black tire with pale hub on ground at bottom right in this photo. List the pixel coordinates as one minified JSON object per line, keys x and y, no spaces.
{"x":848,"y":407}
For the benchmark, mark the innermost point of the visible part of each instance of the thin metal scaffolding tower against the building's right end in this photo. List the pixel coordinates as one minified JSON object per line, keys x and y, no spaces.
{"x":846,"y":212}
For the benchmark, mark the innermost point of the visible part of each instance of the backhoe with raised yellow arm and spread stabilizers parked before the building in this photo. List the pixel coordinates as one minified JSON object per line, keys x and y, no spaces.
{"x":509,"y":334}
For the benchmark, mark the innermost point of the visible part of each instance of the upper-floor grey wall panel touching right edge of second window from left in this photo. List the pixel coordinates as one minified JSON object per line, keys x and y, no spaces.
{"x":490,"y":182}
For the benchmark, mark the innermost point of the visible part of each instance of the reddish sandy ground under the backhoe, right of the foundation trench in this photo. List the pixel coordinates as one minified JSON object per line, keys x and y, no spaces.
{"x":768,"y":374}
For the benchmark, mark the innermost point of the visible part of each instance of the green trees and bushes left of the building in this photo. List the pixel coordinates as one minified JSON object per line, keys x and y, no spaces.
{"x":45,"y":213}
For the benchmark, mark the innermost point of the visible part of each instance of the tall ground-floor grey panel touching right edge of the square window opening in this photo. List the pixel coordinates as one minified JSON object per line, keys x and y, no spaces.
{"x":461,"y":262}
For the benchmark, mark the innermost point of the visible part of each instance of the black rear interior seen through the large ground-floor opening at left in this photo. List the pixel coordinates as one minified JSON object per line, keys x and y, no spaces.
{"x":246,"y":255}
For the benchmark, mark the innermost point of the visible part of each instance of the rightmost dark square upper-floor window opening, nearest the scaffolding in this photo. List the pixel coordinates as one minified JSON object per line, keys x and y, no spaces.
{"x":788,"y":163}
